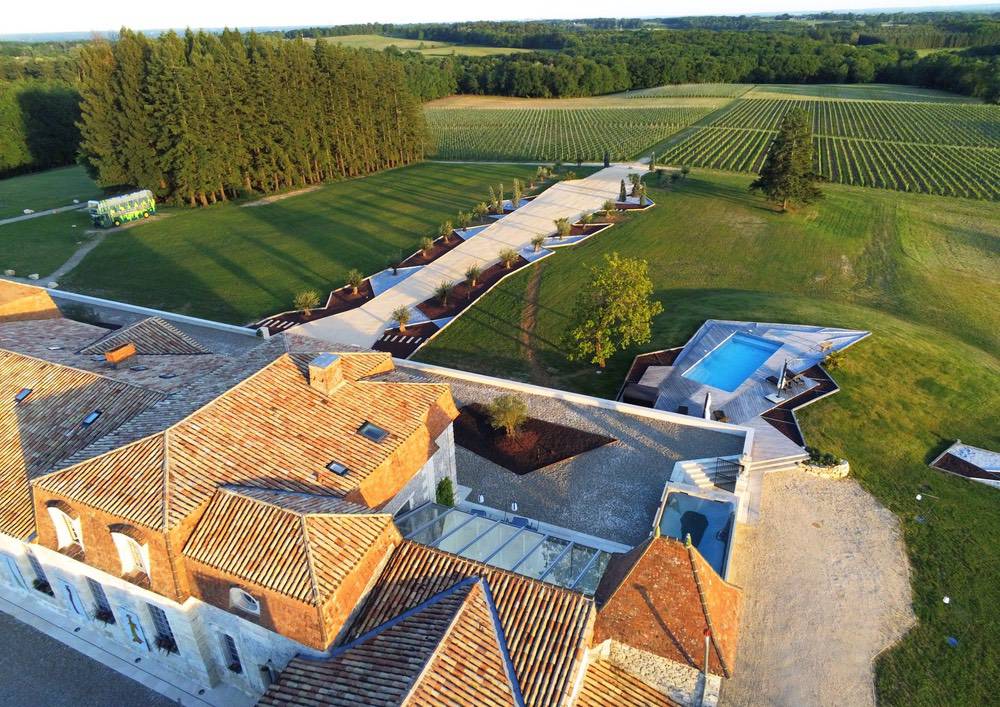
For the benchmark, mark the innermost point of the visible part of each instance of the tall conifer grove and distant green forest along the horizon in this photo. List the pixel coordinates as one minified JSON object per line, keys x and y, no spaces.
{"x":40,"y":84}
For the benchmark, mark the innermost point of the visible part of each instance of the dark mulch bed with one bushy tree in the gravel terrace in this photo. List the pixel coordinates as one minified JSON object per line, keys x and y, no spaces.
{"x":538,"y":443}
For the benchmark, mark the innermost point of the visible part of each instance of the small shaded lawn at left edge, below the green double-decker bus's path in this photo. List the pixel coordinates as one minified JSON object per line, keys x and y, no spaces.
{"x":40,"y":245}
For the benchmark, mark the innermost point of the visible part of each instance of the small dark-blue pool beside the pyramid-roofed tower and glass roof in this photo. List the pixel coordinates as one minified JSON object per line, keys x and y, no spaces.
{"x":710,"y":524}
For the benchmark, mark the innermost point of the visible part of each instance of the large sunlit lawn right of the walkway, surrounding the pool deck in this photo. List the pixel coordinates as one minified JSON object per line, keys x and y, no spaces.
{"x":920,"y":272}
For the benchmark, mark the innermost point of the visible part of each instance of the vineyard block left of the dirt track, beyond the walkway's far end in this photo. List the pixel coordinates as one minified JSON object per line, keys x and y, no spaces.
{"x":554,"y":134}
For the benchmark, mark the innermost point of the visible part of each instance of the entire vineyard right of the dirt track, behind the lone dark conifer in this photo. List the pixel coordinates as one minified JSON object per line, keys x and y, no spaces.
{"x":948,"y":149}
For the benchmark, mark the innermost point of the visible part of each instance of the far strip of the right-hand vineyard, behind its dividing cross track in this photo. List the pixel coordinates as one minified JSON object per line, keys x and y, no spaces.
{"x":930,"y":124}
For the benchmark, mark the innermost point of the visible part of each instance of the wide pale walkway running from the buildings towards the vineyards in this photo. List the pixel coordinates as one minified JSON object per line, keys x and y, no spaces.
{"x":363,"y":326}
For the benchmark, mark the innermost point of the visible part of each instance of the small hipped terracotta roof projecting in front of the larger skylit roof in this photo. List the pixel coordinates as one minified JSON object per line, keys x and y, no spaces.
{"x":265,"y":541}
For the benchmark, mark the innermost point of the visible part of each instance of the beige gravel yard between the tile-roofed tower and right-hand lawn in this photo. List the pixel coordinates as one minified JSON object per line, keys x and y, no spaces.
{"x":827,"y":587}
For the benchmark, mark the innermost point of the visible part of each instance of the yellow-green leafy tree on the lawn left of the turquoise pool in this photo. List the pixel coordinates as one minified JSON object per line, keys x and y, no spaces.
{"x":613,"y":312}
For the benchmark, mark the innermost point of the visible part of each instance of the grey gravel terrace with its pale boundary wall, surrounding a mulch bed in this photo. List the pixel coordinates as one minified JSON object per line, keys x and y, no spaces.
{"x":611,"y":492}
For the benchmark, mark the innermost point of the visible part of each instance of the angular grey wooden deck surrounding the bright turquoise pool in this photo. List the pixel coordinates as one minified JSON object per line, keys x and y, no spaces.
{"x":803,"y":347}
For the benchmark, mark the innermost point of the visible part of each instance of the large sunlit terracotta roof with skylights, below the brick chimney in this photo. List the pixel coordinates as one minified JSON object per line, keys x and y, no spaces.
{"x":270,"y":431}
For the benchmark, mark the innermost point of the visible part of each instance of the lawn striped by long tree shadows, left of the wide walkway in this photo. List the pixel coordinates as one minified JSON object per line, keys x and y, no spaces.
{"x":237,"y":264}
